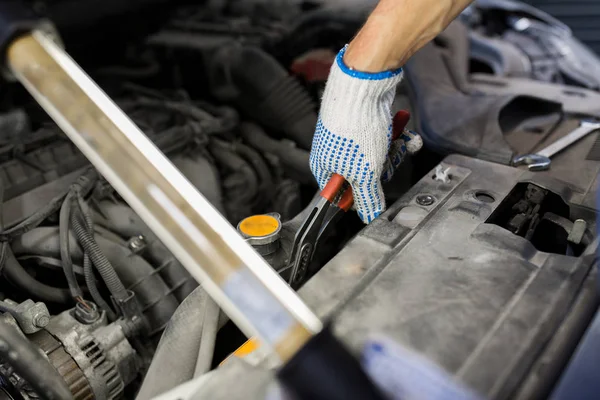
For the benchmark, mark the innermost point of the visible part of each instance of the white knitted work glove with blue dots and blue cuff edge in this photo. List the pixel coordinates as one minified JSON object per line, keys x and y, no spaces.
{"x":354,"y":135}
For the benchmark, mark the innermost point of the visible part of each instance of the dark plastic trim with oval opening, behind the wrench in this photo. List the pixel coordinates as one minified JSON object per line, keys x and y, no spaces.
{"x":462,"y":112}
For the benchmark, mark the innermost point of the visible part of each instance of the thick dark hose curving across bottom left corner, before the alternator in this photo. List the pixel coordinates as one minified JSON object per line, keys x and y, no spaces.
{"x":29,"y":363}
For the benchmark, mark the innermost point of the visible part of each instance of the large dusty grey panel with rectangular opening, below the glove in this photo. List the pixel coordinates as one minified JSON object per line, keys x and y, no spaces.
{"x":437,"y":276}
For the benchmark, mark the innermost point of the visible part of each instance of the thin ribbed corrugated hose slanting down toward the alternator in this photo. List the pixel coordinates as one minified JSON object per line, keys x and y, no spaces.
{"x":104,"y":267}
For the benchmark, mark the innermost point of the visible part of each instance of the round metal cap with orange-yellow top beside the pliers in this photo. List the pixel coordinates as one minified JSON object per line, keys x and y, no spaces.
{"x":262,"y":232}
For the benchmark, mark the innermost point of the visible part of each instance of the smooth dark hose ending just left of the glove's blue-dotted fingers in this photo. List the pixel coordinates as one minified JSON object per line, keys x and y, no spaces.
{"x":293,"y":159}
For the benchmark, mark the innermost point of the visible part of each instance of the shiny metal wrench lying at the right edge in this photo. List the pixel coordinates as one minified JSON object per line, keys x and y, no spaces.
{"x":541,"y":160}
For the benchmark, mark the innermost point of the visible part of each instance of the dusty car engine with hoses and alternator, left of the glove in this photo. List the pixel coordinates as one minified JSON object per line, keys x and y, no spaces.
{"x":213,"y":87}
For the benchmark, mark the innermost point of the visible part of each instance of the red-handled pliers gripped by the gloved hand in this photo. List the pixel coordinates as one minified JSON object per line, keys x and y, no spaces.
{"x":336,"y":199}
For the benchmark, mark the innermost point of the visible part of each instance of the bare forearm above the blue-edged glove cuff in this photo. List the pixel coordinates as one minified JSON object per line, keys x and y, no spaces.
{"x":397,"y":29}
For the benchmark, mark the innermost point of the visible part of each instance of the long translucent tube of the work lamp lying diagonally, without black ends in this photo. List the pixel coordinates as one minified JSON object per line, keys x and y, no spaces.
{"x":241,"y":282}
